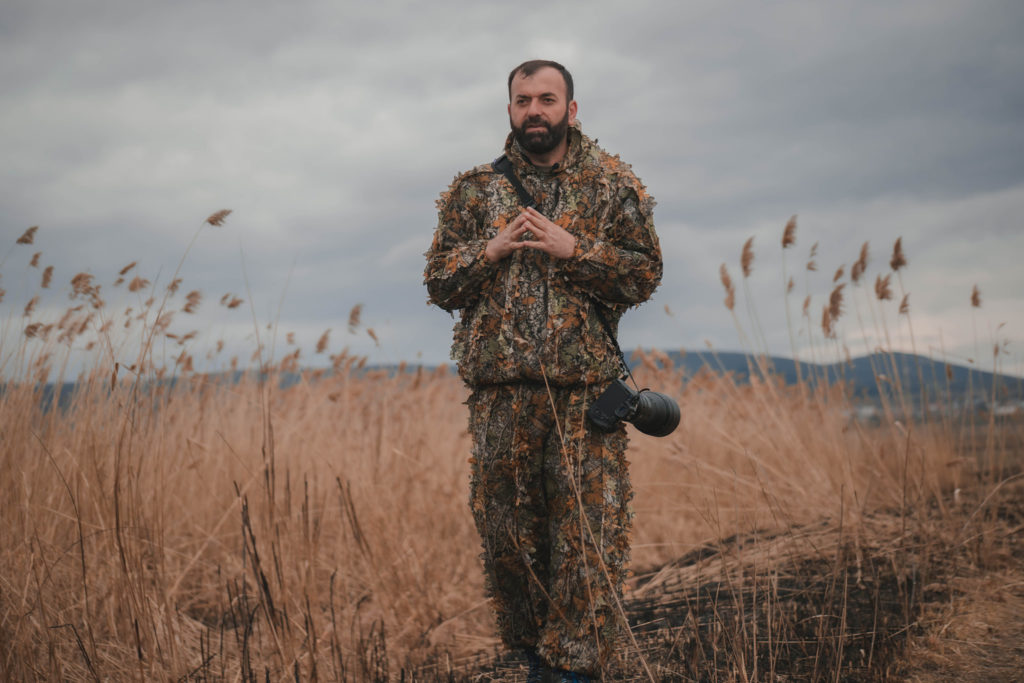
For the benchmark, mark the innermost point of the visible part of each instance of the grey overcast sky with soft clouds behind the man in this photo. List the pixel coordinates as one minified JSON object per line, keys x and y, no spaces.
{"x":330,"y":130}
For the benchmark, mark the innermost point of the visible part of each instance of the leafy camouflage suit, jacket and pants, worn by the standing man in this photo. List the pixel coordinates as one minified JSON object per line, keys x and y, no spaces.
{"x":550,"y":495}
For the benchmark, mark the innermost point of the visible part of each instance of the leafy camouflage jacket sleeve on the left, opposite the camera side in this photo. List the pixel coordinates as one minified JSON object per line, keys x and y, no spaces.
{"x":457,"y":269}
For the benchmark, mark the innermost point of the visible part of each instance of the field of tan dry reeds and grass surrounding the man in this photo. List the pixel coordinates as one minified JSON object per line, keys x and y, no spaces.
{"x":168,"y":525}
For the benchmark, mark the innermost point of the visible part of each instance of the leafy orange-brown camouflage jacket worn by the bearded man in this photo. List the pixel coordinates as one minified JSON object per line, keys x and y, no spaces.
{"x":531,"y":315}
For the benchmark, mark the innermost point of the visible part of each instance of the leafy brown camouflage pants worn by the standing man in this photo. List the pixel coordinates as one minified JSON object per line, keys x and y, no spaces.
{"x":553,"y":574}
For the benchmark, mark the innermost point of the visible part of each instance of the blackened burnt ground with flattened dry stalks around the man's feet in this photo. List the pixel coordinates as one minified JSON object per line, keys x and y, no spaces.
{"x":805,"y":605}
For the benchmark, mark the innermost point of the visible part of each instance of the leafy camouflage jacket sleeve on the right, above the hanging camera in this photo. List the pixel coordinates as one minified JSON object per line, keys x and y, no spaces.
{"x":625,"y":267}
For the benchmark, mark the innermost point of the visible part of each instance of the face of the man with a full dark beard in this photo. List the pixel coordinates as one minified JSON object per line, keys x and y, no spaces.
{"x":539,"y":114}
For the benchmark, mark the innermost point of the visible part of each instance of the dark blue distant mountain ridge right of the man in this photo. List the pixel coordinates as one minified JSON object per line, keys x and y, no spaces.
{"x":869,"y":376}
